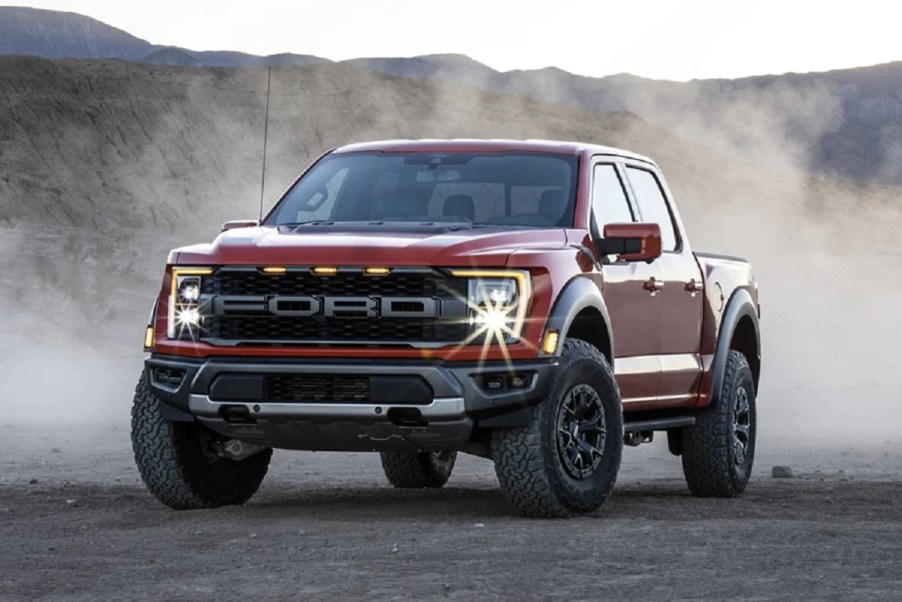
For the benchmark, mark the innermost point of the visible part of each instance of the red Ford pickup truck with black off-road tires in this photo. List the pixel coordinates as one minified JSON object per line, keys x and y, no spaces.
{"x":533,"y":302}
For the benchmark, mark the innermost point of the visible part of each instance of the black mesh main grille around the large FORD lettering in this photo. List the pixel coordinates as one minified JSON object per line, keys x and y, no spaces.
{"x":261,"y":327}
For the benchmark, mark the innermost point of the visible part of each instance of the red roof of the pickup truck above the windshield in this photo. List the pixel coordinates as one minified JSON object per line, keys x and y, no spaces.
{"x":490,"y":146}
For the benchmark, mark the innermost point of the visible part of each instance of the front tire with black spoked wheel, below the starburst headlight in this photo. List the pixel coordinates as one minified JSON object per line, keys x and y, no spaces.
{"x":535,"y":474}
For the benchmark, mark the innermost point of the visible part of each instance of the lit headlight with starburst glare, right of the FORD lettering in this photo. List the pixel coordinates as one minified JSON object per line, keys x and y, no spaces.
{"x":497,"y":301}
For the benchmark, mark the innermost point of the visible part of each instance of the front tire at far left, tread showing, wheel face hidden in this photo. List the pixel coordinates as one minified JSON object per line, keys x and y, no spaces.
{"x":175,"y":468}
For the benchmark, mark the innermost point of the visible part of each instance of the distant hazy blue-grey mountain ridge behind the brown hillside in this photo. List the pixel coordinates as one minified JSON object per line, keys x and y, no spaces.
{"x":839,"y":123}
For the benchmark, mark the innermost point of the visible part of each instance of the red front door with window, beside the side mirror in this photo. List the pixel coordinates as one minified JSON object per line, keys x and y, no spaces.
{"x":632,"y":295}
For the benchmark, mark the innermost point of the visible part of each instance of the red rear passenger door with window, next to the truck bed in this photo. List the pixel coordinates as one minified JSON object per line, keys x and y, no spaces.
{"x":681,"y":295}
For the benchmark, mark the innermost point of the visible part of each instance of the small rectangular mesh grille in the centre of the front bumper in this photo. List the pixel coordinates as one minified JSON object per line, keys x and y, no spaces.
{"x":306,"y":388}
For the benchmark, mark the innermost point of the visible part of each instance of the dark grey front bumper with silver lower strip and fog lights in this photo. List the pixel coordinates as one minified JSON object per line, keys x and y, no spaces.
{"x":411,"y":405}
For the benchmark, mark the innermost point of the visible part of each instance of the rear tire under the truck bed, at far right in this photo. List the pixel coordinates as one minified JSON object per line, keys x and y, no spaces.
{"x":713,"y":464}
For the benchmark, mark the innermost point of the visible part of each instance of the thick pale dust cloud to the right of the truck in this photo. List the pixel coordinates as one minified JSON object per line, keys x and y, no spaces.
{"x":825,"y":253}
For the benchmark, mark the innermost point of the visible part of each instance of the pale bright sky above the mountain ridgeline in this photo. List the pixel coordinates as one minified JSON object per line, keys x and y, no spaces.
{"x":677,"y":39}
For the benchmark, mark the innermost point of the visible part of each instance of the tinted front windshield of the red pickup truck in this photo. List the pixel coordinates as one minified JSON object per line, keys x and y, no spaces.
{"x":468,"y":189}
